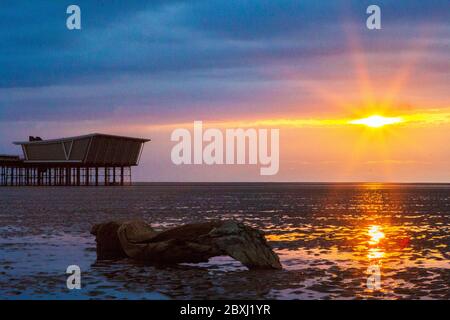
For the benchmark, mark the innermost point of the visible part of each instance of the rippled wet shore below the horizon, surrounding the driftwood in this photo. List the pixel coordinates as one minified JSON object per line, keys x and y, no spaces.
{"x":327,"y":237}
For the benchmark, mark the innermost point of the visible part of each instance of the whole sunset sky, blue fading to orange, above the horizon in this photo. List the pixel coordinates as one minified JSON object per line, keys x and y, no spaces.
{"x":310,"y":68}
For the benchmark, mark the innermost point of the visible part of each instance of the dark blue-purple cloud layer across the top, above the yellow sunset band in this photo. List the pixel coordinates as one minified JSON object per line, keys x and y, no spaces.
{"x":155,"y":57}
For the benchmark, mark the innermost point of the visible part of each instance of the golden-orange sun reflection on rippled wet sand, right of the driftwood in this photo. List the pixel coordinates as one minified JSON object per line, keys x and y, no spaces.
{"x":379,"y":245}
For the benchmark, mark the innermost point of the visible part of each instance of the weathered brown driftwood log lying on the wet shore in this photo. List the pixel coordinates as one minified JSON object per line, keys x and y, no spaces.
{"x":189,"y":243}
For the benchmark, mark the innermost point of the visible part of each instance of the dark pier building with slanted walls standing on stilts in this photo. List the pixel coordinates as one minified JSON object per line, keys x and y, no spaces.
{"x":94,"y":159}
